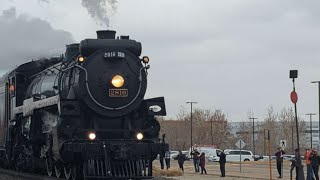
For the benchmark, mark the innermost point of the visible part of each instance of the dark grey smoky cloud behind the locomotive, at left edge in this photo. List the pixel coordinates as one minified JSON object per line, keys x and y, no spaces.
{"x":24,"y":38}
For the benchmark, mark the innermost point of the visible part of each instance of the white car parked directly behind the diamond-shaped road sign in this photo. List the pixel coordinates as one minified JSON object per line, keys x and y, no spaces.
{"x":234,"y":155}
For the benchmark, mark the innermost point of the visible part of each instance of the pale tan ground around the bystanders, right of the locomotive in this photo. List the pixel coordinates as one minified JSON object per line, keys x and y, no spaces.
{"x":249,"y":170}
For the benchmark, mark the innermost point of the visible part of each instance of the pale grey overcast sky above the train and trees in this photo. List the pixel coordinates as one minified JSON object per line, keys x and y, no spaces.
{"x":233,"y":55}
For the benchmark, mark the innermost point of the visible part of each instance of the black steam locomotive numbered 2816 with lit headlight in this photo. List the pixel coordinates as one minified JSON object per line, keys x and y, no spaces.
{"x":83,"y":114}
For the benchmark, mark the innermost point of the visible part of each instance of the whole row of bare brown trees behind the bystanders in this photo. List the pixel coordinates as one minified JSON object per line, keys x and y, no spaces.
{"x":212,"y":127}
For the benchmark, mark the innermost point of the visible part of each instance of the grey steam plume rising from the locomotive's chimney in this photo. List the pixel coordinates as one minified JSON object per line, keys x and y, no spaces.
{"x":100,"y":10}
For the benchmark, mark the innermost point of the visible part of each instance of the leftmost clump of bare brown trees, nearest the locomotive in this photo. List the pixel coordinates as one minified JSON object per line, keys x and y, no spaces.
{"x":178,"y":132}
